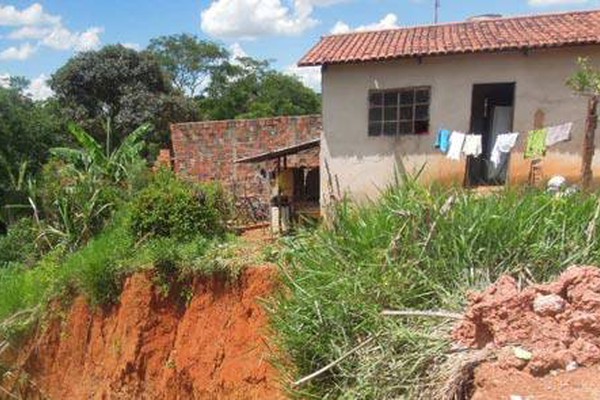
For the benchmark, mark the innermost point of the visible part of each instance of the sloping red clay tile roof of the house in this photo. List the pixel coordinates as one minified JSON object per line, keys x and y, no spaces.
{"x":517,"y":33}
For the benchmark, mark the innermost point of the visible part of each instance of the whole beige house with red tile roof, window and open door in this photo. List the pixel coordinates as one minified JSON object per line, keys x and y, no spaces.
{"x":387,"y":93}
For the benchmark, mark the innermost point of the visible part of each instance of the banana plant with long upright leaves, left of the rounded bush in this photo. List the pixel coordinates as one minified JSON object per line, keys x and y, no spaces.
{"x":83,"y":202}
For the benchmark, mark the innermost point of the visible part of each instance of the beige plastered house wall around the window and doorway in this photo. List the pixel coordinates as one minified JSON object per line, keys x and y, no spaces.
{"x":363,"y":165}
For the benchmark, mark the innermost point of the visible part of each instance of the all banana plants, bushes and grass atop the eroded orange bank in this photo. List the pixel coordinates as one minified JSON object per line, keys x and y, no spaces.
{"x":98,"y":217}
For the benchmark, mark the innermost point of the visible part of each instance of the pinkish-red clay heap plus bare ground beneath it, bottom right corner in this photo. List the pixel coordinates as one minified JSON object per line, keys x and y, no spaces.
{"x":557,"y":323}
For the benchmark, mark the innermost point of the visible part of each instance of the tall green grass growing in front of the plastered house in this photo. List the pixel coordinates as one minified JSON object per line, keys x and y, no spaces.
{"x":413,"y":250}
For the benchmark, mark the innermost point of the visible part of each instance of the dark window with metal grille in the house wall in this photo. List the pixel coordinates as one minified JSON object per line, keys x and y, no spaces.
{"x":399,"y":111}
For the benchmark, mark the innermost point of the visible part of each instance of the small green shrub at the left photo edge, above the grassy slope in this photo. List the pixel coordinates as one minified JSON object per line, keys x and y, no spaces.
{"x":19,"y":244}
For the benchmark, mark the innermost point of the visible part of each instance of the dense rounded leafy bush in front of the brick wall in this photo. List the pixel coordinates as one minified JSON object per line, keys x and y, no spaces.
{"x":170,"y":207}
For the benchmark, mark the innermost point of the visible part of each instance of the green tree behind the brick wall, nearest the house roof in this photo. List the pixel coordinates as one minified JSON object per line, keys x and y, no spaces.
{"x":249,"y":88}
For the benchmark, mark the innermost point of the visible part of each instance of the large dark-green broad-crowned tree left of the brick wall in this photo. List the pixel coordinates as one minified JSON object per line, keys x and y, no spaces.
{"x":119,"y":86}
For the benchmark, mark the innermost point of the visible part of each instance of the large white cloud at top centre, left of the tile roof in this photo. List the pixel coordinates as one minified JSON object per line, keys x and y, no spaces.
{"x":249,"y":19}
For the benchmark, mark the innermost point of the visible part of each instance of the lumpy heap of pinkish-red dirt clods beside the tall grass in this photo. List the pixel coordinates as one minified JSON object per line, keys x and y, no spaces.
{"x":558,"y":323}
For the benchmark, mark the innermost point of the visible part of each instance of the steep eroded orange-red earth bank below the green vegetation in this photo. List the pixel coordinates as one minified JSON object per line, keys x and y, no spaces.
{"x":154,"y":347}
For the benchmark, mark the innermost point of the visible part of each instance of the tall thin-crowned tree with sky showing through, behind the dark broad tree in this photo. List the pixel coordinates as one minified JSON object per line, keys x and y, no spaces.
{"x":188,"y":61}
